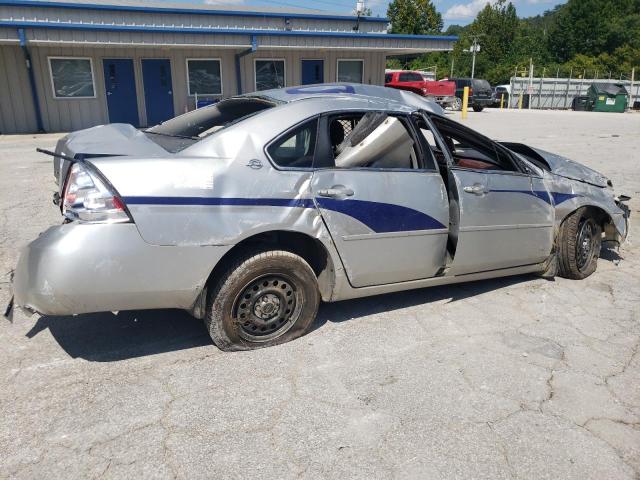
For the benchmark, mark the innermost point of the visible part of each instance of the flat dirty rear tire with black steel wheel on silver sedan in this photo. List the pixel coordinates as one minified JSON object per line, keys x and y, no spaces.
{"x":264,"y":298}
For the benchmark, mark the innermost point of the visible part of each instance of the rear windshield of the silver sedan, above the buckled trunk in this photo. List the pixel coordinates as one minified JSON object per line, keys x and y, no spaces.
{"x":185,"y":130}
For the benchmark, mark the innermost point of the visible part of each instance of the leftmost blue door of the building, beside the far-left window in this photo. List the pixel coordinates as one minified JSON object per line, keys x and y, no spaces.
{"x":120,"y":85}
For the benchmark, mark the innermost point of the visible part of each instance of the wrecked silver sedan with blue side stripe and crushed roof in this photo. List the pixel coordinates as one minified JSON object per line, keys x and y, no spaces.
{"x":250,"y":212}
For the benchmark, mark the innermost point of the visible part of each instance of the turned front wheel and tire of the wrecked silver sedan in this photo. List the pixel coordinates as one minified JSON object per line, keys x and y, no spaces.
{"x":579,"y":244}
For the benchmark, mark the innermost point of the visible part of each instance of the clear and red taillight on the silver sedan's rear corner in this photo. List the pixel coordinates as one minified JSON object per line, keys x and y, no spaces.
{"x":86,"y":198}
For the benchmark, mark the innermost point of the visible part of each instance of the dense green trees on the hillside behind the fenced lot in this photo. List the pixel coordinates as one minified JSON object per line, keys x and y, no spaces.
{"x":580,"y":37}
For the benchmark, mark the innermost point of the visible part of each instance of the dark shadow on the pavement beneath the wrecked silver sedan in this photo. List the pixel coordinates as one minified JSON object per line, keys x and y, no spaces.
{"x":105,"y":337}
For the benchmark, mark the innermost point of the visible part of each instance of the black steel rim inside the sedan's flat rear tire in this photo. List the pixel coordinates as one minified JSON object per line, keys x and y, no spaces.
{"x":267,"y":307}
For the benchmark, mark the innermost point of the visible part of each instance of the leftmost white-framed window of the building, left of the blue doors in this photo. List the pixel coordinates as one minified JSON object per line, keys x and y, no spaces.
{"x":72,"y":77}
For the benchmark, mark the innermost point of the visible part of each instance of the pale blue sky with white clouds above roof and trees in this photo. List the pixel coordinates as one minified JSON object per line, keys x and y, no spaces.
{"x":459,"y":12}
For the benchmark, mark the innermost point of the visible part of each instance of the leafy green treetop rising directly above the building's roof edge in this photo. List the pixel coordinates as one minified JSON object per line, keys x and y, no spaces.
{"x":414,"y":17}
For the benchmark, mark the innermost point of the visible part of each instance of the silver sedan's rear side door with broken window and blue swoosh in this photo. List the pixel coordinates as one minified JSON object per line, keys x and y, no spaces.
{"x":381,"y":197}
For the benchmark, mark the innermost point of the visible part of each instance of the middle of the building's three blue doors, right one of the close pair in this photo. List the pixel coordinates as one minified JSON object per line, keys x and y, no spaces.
{"x":158,"y":90}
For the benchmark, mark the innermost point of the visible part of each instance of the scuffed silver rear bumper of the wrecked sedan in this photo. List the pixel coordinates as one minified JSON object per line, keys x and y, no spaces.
{"x":76,"y":268}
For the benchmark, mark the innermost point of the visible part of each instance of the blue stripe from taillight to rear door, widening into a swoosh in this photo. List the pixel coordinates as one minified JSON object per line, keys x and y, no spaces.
{"x":379,"y":217}
